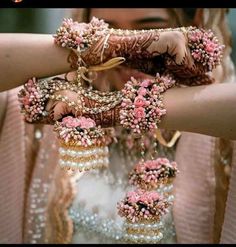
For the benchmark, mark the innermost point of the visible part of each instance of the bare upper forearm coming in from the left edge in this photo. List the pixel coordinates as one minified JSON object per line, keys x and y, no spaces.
{"x":23,"y":56}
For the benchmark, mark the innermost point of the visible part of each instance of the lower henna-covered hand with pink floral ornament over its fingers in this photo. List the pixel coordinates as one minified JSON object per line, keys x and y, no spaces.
{"x":48,"y":101}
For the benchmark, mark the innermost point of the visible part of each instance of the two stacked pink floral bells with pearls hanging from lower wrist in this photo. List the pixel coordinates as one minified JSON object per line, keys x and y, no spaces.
{"x":141,"y":207}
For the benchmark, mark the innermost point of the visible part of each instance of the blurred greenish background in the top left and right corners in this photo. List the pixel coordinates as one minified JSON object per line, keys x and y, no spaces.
{"x":43,"y":20}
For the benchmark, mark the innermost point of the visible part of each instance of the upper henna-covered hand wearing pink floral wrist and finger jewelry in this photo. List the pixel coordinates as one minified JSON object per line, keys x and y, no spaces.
{"x":187,"y":52}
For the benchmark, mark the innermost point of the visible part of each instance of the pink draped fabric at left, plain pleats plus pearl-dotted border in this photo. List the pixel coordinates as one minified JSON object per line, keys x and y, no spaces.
{"x":27,"y":165}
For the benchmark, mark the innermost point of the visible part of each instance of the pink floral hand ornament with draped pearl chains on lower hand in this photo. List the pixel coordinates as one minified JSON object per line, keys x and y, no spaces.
{"x":35,"y":95}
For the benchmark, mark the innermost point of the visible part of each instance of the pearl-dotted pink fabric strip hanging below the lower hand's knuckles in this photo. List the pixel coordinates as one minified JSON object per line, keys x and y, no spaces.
{"x":45,"y":164}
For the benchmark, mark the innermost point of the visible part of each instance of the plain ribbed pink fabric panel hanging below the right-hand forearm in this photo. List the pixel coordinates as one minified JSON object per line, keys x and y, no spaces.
{"x":194,"y":189}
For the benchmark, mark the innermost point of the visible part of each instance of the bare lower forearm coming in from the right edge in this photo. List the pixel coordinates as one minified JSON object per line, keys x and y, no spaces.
{"x":206,"y":110}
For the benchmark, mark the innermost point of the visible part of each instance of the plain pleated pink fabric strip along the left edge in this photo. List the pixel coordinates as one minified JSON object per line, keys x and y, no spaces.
{"x":12,"y":173}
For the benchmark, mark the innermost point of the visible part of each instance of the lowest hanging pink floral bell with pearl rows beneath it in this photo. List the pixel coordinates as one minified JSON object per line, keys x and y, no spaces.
{"x":142,"y":211}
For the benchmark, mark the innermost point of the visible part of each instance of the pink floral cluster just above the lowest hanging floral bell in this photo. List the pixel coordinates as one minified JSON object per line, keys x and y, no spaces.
{"x":151,"y":174}
